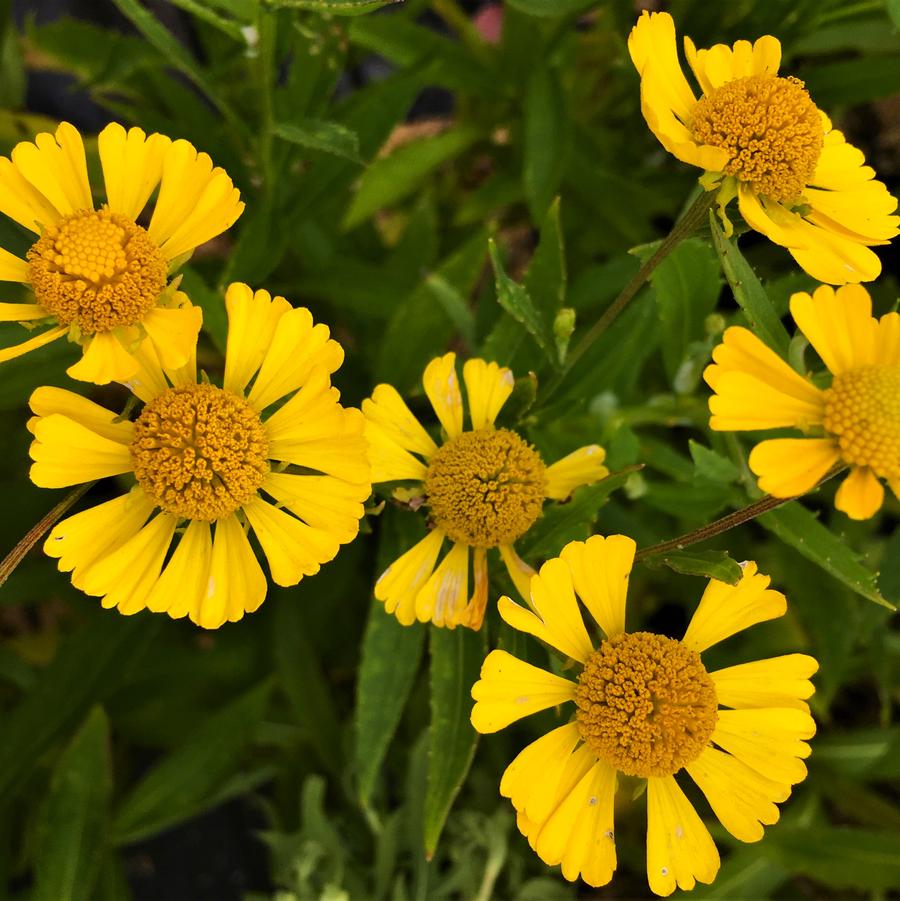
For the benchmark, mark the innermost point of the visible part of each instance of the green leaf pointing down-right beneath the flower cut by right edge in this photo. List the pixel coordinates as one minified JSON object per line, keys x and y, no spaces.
{"x":799,"y":528}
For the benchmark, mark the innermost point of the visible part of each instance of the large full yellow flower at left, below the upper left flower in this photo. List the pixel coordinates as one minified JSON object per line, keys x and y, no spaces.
{"x":202,"y":458}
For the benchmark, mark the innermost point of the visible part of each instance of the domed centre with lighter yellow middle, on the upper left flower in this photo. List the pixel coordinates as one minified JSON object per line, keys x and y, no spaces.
{"x":97,"y":270}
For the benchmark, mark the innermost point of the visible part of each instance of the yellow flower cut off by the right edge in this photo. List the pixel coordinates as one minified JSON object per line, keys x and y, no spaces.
{"x":856,"y":421}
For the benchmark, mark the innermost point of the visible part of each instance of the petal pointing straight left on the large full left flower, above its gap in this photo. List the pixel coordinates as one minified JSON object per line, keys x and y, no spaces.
{"x":67,"y":453}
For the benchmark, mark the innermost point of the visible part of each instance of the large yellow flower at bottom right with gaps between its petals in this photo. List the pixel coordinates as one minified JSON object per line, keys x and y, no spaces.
{"x":645,"y":707}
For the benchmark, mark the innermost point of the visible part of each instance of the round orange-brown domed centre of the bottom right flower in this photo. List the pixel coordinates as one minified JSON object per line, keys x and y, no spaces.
{"x":646,"y":704}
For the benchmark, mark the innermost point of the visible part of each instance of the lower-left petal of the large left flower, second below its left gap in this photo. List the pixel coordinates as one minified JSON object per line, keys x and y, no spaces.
{"x":125,"y":577}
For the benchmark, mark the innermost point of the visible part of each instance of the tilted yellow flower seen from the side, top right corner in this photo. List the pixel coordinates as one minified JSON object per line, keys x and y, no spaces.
{"x":760,"y":138}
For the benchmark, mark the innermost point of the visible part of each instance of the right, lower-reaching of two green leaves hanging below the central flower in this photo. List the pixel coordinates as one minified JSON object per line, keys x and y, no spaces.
{"x":456,"y":658}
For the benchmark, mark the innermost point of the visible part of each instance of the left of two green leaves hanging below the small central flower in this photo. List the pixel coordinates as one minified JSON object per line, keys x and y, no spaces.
{"x":391,"y":655}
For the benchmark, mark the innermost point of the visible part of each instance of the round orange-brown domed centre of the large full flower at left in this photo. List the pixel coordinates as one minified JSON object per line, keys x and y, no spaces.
{"x":199,"y":451}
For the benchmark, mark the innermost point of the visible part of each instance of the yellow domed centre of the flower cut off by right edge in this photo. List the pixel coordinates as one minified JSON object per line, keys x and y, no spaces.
{"x":862,"y":409}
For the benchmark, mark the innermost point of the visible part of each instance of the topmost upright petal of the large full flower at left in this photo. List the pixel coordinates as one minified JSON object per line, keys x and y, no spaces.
{"x":252,"y":318}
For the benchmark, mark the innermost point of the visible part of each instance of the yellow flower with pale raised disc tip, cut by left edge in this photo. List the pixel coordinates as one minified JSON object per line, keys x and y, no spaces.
{"x":97,"y":275}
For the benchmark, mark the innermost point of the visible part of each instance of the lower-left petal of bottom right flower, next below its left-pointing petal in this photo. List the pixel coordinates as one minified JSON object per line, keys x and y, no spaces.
{"x":533,"y":778}
